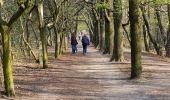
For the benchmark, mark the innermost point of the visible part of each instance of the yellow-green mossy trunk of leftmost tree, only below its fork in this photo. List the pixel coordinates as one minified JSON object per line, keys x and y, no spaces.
{"x":7,"y":62}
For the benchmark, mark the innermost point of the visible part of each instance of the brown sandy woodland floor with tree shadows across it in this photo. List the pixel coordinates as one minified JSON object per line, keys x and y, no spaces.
{"x":91,"y":77}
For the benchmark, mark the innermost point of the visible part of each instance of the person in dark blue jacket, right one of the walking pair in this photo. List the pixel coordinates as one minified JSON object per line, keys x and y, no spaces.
{"x":85,"y":43}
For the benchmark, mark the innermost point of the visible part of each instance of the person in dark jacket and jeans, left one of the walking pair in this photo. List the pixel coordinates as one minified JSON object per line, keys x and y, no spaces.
{"x":74,"y":44}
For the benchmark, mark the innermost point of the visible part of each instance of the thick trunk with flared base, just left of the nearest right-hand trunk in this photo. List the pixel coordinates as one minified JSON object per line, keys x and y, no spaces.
{"x":117,"y":54}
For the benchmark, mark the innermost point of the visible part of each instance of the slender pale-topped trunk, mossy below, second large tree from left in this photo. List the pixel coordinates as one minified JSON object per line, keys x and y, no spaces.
{"x":42,"y":34}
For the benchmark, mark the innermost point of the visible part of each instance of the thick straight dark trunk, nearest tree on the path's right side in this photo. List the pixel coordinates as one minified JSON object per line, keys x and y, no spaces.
{"x":134,"y":15}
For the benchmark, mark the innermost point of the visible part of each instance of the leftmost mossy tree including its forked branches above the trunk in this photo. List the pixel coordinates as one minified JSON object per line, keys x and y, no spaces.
{"x":5,"y":28}
